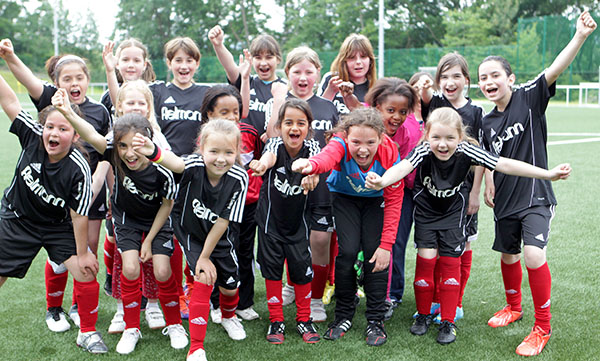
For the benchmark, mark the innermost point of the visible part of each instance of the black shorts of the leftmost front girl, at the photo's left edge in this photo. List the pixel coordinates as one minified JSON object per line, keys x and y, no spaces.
{"x":21,"y":240}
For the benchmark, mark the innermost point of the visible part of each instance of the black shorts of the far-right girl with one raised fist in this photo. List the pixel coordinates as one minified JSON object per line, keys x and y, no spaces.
{"x":532,"y":226}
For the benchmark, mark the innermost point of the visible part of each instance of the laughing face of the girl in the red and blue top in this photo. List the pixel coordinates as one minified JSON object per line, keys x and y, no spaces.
{"x":362,"y":145}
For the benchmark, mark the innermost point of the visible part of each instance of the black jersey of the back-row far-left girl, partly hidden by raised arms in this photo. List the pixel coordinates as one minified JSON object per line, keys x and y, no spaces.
{"x":94,"y":113}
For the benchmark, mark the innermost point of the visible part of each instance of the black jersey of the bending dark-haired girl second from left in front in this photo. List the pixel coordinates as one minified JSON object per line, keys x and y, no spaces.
{"x":138,"y":195}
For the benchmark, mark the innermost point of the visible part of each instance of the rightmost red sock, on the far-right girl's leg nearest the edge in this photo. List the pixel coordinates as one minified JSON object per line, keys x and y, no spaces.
{"x":540,"y":282}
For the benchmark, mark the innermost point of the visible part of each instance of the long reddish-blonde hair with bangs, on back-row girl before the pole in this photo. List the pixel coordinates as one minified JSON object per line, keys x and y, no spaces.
{"x":352,"y":44}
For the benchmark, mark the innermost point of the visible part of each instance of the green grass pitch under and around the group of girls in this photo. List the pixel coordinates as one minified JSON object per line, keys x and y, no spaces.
{"x":572,"y":254}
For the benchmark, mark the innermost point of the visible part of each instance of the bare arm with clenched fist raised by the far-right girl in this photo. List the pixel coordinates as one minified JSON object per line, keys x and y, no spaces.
{"x":585,"y":26}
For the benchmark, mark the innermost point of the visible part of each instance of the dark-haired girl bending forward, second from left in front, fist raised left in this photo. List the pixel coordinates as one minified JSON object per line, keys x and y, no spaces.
{"x":141,"y":204}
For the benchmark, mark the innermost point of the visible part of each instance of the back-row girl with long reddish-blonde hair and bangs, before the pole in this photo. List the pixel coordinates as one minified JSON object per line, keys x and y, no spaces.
{"x":354,"y":66}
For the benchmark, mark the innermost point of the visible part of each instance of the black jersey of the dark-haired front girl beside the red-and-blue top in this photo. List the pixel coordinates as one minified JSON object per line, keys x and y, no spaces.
{"x":283,"y":211}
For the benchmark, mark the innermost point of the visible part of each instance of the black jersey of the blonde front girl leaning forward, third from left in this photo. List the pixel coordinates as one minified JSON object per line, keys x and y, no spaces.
{"x":202,"y":204}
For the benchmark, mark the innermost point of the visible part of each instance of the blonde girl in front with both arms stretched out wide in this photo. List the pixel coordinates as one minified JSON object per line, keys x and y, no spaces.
{"x":444,"y":160}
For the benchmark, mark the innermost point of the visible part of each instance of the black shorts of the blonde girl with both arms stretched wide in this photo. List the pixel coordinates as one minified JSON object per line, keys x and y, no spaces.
{"x":448,"y":242}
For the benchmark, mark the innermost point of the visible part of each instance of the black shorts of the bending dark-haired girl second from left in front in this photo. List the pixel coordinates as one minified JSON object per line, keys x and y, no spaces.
{"x":128,"y":239}
